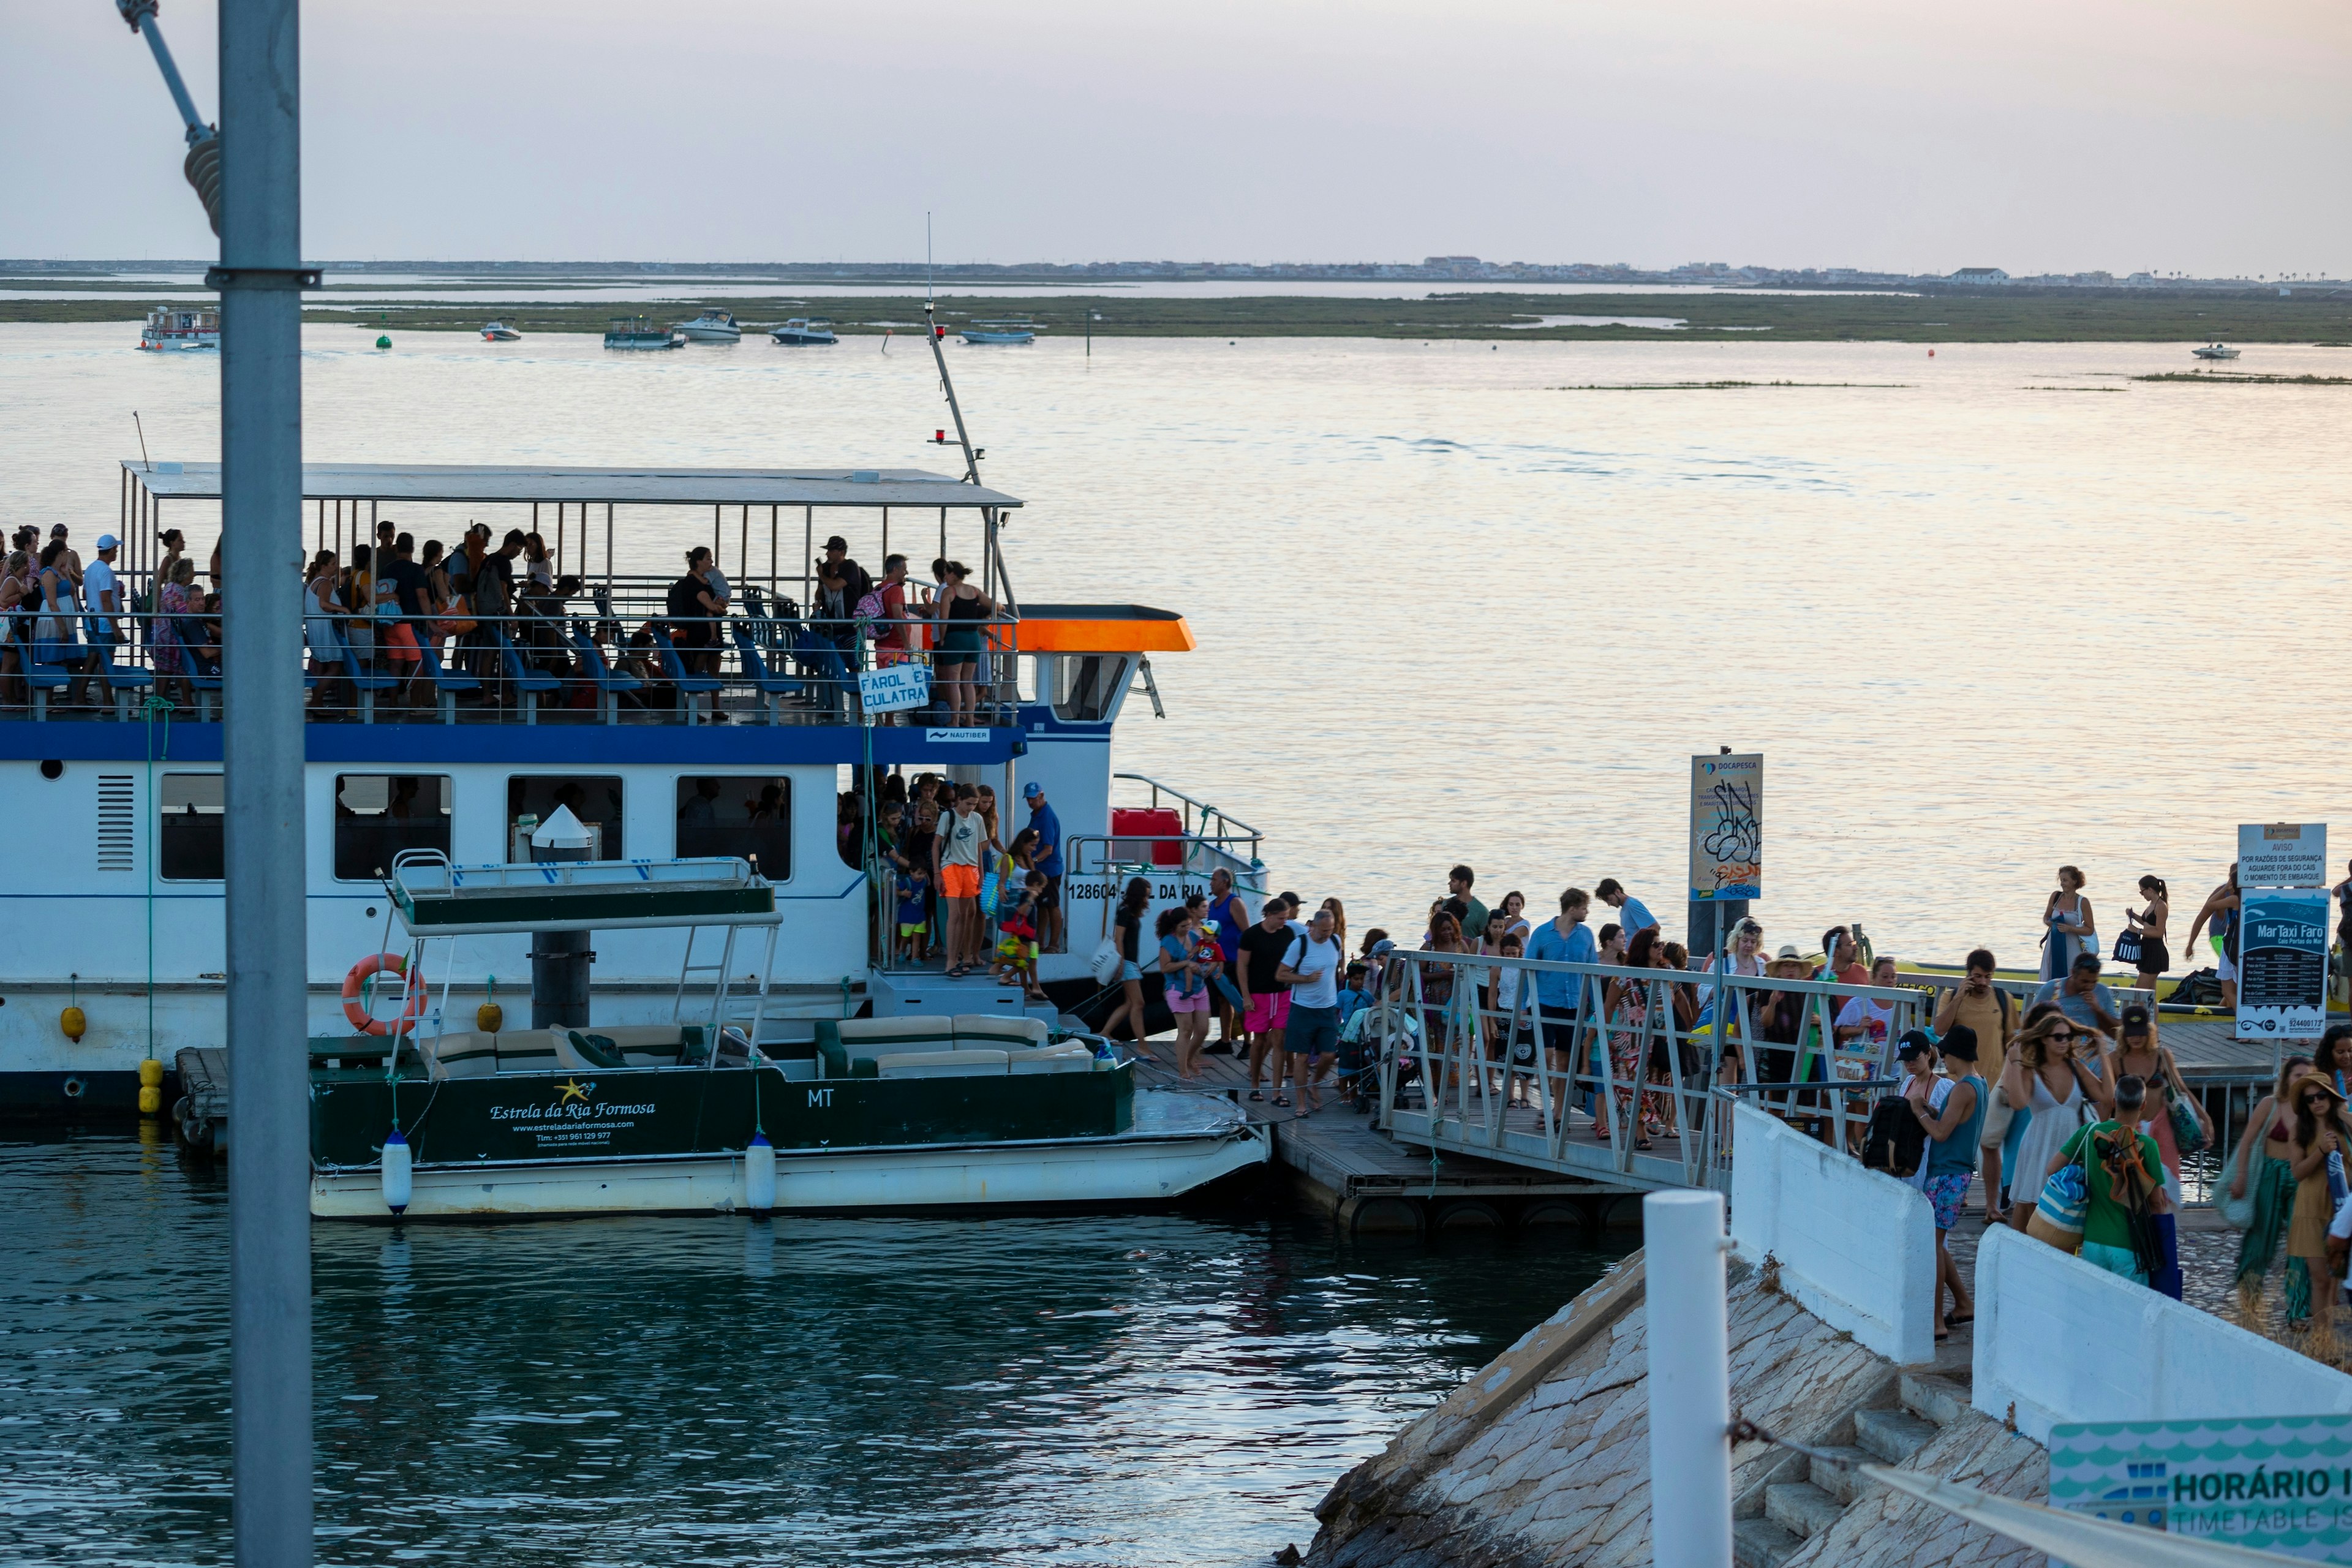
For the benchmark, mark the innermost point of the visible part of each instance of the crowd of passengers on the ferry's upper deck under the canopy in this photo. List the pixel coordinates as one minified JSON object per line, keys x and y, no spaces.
{"x":396,"y":610}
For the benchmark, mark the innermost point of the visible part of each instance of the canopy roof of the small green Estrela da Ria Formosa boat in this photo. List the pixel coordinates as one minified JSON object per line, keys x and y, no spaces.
{"x":441,"y":899}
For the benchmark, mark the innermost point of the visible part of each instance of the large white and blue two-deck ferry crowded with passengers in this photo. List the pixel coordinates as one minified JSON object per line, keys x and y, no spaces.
{"x":740,"y":739}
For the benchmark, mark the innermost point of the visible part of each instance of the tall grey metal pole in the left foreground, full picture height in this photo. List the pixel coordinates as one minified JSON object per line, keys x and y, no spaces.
{"x":262,"y":763}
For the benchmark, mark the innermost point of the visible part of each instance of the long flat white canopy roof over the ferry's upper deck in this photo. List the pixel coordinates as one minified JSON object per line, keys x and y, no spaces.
{"x":617,"y":485}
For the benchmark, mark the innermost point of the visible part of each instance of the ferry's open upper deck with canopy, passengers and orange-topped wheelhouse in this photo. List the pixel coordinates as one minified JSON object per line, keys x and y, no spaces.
{"x":533,"y":608}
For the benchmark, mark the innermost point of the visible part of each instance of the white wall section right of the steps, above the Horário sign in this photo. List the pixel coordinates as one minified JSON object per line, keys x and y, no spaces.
{"x":2059,"y":1339}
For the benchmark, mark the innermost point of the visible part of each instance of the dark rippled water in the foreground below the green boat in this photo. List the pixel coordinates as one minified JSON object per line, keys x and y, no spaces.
{"x":1095,"y":1391}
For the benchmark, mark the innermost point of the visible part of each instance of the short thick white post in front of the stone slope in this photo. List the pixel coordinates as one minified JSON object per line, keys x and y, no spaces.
{"x":1690,"y":1381}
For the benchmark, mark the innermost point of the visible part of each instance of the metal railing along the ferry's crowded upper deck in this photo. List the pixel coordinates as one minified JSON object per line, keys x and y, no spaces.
{"x":627,"y":659}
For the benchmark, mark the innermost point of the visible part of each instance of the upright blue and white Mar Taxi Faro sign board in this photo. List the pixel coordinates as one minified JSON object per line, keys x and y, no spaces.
{"x":2283,"y":937}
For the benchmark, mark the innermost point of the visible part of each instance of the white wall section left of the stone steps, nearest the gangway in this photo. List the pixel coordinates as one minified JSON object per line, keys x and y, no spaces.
{"x":1857,"y":1249}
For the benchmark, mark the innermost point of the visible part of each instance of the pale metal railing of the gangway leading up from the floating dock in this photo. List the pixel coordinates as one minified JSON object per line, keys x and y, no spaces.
{"x":1626,"y":1052}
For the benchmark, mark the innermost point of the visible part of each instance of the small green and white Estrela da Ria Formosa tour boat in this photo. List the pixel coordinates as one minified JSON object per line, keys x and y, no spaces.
{"x":714,"y":1108}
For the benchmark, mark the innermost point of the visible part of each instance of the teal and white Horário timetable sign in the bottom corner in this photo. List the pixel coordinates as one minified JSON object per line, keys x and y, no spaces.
{"x":2273,"y":1482}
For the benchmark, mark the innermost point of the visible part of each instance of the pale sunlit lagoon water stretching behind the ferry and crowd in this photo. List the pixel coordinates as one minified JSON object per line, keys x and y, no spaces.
{"x":1998,"y":610}
